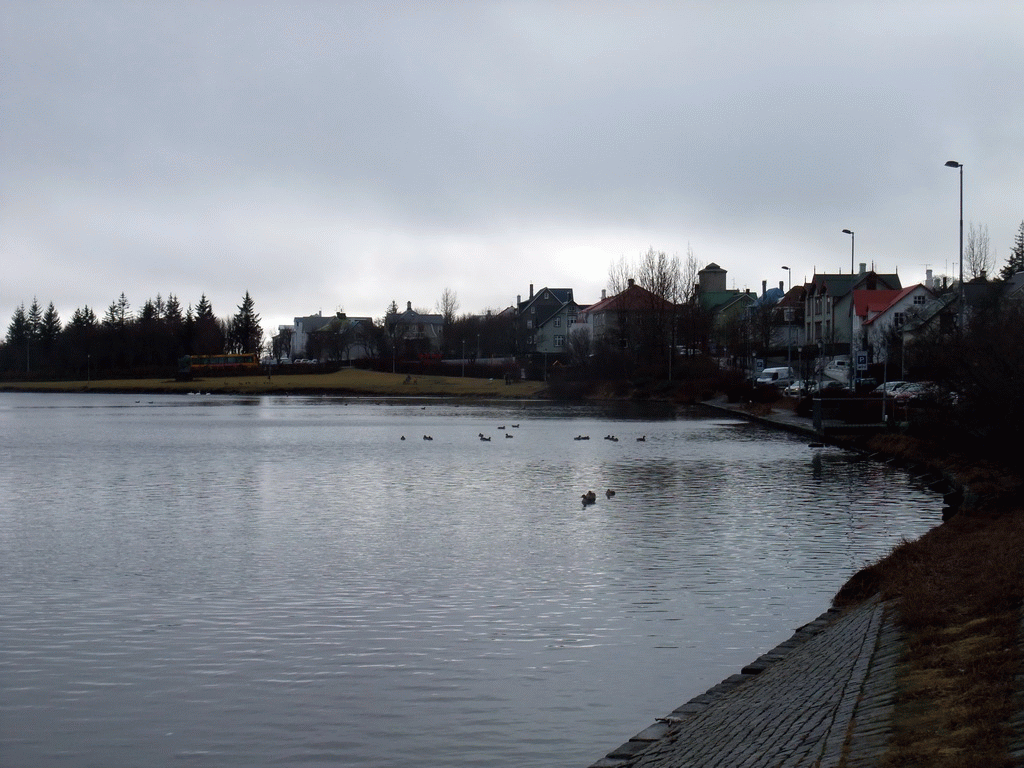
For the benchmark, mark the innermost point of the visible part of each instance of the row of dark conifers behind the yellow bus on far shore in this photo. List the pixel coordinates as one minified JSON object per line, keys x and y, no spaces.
{"x":123,"y":343}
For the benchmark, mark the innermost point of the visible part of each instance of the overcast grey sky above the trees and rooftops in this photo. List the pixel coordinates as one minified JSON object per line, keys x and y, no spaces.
{"x":337,"y":156}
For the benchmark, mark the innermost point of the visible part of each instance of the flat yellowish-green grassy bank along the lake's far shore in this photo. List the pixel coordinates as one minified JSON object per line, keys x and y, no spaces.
{"x":347,"y":382}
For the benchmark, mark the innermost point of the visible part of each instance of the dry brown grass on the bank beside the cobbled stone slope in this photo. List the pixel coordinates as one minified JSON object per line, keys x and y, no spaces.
{"x":959,"y":591}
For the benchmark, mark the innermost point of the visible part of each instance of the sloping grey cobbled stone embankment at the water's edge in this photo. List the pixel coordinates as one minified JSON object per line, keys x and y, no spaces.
{"x":823,"y":700}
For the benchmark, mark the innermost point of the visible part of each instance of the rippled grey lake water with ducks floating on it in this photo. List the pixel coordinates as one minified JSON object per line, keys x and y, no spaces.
{"x":283,"y":581}
